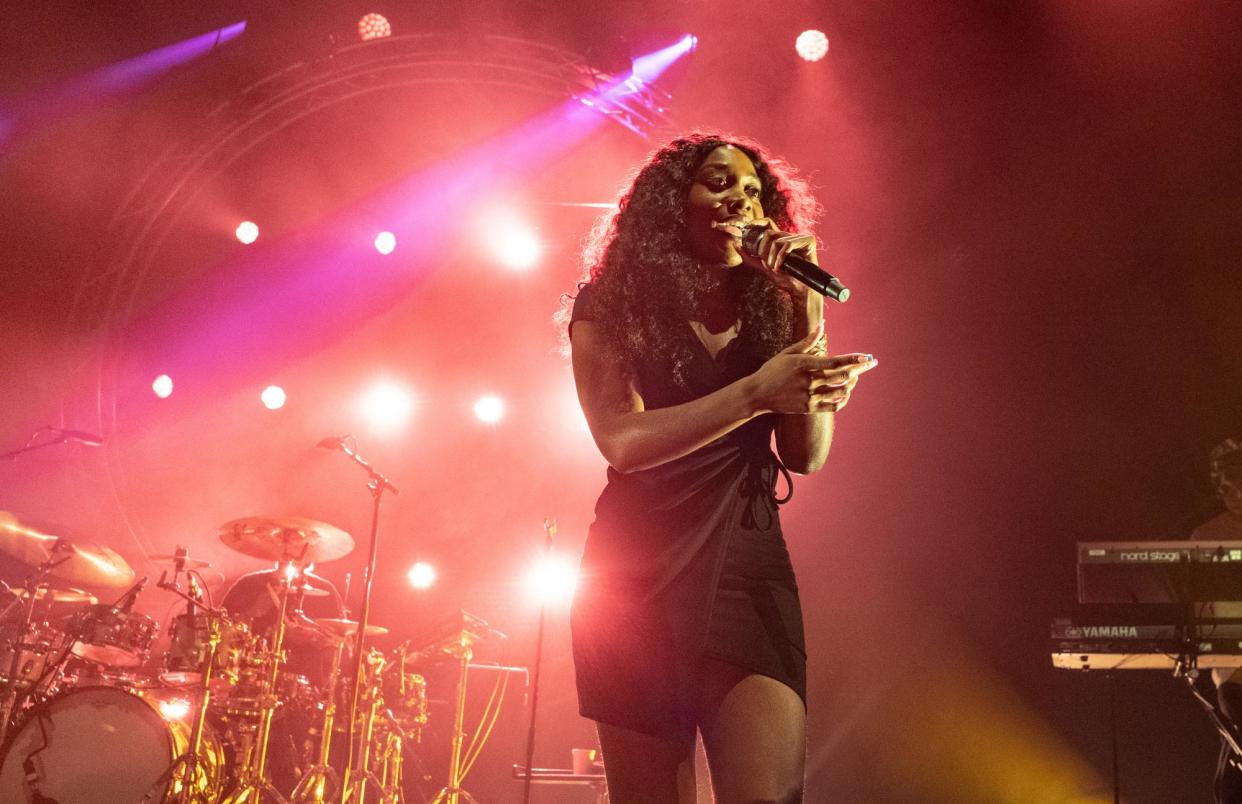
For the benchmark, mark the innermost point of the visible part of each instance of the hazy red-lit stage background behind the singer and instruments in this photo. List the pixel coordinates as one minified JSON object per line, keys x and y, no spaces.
{"x":1039,"y":208}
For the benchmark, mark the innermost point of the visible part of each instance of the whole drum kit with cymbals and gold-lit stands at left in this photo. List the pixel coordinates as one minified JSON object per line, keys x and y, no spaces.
{"x":90,"y":714}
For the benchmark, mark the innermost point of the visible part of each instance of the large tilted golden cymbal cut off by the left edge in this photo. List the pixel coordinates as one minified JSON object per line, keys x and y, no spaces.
{"x":75,"y":562}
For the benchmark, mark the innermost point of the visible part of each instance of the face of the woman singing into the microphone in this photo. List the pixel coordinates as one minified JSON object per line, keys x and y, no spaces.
{"x":726,"y":191}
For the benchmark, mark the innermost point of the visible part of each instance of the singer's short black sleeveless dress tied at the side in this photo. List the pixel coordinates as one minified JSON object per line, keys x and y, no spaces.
{"x":686,"y":561}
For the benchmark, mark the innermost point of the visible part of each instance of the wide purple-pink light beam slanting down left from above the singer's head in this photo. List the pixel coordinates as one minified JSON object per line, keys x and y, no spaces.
{"x":265,"y":295}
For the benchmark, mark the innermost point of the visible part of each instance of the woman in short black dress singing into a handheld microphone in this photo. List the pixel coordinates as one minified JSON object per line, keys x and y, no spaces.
{"x":687,"y":356}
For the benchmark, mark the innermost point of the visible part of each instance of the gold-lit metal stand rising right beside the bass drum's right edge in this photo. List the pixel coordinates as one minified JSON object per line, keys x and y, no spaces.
{"x":184,"y":772}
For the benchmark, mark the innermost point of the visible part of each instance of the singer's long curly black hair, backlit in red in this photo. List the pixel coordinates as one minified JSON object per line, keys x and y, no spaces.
{"x":645,"y":281}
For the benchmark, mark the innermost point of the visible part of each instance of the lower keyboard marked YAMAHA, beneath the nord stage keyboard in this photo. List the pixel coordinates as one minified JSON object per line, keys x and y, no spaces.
{"x":1123,"y":647}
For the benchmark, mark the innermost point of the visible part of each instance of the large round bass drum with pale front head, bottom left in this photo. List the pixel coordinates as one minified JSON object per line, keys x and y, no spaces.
{"x":106,"y":746}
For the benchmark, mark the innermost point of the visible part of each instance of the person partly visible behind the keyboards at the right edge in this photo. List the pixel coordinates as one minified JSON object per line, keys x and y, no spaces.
{"x":1226,"y":472}
